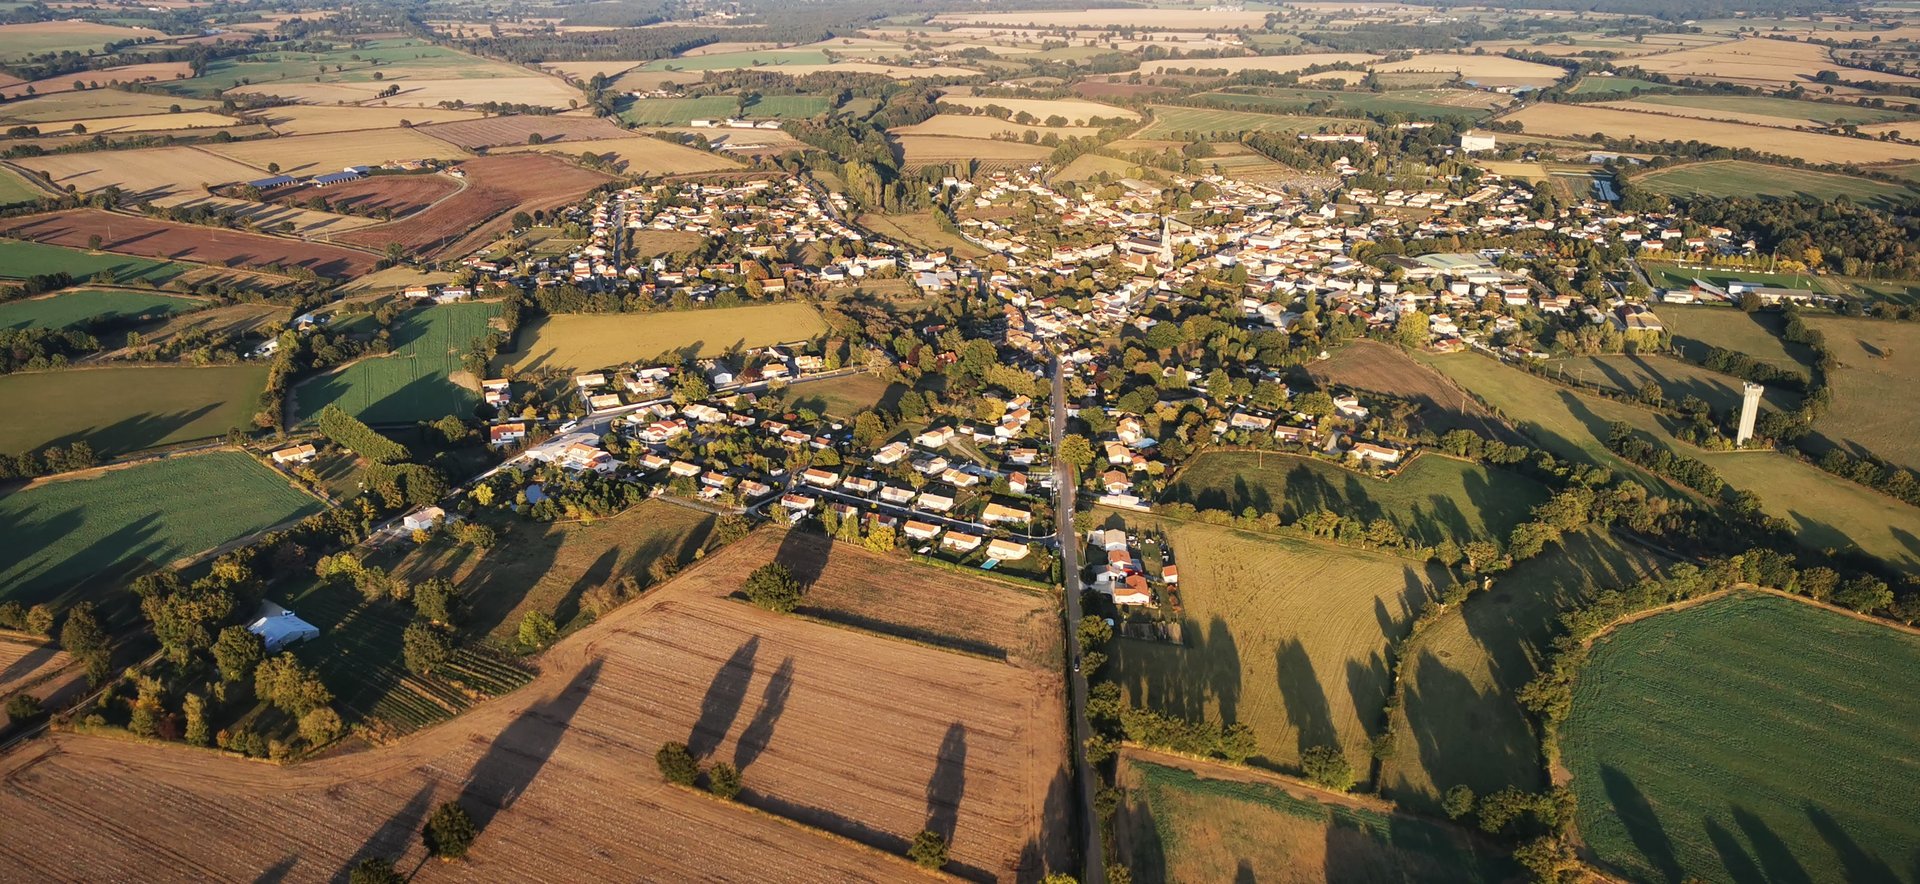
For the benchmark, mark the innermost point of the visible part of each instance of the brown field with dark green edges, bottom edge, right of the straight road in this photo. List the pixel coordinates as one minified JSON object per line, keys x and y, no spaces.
{"x":1195,"y":822}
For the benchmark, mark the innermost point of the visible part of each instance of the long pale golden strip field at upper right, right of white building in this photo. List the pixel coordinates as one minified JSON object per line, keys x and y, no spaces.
{"x":1581,"y":120}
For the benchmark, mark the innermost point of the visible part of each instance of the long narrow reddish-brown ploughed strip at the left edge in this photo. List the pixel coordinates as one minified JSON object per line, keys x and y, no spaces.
{"x":185,"y":243}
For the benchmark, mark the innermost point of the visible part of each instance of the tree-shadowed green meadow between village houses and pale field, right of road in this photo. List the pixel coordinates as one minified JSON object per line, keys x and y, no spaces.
{"x":1431,"y":501}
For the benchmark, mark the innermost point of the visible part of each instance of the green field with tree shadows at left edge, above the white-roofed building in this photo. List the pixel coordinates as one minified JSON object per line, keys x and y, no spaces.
{"x":64,"y":537}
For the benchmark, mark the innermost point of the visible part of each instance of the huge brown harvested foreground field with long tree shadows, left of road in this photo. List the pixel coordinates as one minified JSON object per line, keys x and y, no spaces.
{"x":560,"y":775}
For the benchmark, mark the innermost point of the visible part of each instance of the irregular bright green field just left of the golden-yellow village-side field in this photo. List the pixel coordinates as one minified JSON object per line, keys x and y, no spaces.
{"x":414,"y":383}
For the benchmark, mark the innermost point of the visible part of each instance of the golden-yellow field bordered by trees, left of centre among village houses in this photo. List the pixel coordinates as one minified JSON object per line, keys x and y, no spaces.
{"x":583,"y":341}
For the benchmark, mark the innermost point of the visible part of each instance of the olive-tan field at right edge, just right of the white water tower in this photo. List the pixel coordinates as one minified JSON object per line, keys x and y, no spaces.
{"x":1873,"y":387}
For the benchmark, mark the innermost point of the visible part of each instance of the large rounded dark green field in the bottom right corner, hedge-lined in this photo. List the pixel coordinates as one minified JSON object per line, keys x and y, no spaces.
{"x":1750,"y":739}
